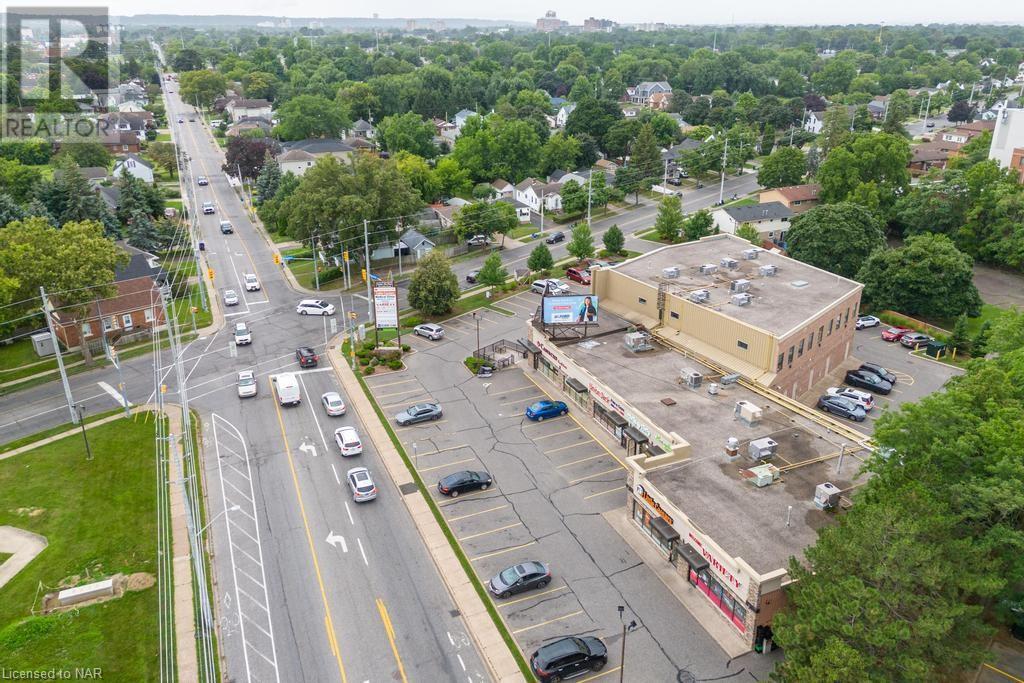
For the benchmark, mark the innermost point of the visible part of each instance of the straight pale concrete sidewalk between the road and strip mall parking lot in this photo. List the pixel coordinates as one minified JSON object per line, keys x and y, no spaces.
{"x":482,"y":628}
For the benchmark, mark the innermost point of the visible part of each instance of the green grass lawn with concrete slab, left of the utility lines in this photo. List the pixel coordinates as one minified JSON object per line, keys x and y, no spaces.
{"x":103,"y":523}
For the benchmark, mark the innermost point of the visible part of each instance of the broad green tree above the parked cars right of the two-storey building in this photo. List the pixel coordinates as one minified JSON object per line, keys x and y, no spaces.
{"x":928,"y":277}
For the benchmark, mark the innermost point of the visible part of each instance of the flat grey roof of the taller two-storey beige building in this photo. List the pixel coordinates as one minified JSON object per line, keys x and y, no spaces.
{"x":780,"y":305}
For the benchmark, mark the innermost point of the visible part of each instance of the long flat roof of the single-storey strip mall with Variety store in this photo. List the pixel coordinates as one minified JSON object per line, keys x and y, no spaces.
{"x":747,"y":522}
